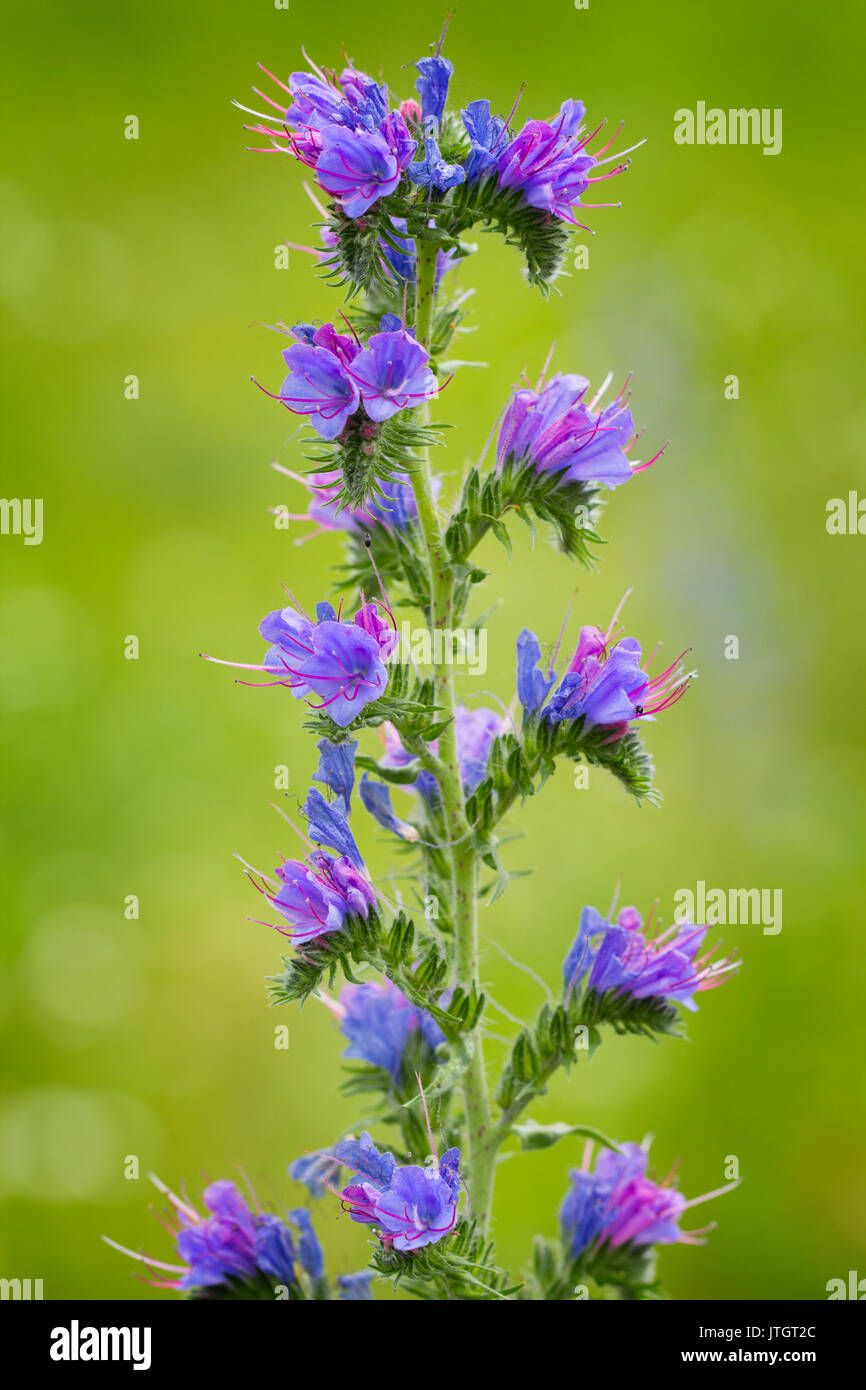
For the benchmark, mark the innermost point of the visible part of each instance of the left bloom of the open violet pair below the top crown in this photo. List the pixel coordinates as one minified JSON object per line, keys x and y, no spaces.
{"x":319,"y":384}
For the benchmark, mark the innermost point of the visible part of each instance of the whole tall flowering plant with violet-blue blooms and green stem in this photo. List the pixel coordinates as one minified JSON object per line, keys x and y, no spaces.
{"x":401,"y":186}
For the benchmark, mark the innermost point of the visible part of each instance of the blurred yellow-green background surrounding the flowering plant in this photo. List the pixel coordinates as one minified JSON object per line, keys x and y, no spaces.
{"x":151,"y":1038}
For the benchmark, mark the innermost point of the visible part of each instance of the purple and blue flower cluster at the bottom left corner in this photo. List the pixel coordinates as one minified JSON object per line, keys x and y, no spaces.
{"x":238,"y":1248}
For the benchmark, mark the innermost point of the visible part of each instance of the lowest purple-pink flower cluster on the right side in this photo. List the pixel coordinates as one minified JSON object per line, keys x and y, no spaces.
{"x":618,"y":1204}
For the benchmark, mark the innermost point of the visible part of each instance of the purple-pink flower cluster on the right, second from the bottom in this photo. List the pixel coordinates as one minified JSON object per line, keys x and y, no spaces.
{"x":623,"y":958}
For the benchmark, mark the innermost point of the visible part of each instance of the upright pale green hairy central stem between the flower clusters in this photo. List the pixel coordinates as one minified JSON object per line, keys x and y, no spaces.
{"x":482,"y":1153}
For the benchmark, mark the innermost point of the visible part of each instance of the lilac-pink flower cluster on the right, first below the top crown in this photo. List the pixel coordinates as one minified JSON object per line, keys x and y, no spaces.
{"x":555,"y":430}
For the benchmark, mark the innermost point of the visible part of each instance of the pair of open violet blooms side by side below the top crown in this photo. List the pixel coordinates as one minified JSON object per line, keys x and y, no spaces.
{"x":332,"y":375}
